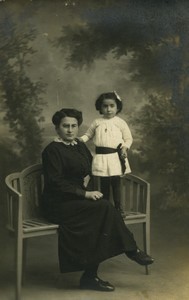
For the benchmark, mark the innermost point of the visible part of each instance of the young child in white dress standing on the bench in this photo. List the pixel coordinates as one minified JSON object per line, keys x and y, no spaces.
{"x":112,"y":138}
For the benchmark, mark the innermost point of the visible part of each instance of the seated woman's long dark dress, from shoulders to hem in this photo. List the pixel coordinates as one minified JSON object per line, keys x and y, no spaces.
{"x":90,"y":231}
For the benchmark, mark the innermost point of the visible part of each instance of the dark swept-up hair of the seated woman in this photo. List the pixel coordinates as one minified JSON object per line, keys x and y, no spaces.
{"x":67,"y":112}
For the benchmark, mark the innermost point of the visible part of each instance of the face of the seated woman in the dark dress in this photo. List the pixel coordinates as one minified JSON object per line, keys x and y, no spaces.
{"x":68,"y":129}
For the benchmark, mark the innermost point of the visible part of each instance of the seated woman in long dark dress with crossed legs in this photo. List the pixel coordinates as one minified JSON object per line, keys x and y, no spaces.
{"x":91,"y":229}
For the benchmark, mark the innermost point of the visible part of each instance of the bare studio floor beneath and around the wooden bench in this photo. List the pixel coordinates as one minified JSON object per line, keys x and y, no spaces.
{"x":168,"y":279}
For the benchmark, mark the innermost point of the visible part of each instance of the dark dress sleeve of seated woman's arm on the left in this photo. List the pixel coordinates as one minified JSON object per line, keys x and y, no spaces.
{"x":55,"y":176}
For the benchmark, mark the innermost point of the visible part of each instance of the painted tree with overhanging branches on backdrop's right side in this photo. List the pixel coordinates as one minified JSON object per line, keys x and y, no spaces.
{"x":156,"y":33}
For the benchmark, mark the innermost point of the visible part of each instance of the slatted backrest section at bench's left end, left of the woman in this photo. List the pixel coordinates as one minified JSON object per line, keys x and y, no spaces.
{"x":24,"y":191}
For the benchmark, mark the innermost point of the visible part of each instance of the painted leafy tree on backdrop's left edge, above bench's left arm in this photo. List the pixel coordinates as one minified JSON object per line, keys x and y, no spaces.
{"x":20,"y":97}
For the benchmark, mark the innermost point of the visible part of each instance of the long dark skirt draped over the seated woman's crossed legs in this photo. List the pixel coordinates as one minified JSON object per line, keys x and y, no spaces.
{"x":90,"y":232}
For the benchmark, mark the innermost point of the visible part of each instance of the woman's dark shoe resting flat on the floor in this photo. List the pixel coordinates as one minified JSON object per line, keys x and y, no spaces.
{"x":96,"y":283}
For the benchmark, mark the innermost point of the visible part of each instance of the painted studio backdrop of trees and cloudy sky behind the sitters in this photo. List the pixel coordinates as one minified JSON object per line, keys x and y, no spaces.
{"x":56,"y":54}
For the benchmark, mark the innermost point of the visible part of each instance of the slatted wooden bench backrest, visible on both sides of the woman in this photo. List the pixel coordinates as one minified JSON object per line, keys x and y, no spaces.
{"x":28,"y":184}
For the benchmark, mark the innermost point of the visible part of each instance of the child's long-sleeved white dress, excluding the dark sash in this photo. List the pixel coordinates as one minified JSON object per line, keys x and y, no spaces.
{"x":109,"y":133}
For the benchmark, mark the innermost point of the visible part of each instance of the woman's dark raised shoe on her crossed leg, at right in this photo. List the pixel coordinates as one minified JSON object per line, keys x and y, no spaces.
{"x":140,"y":257}
